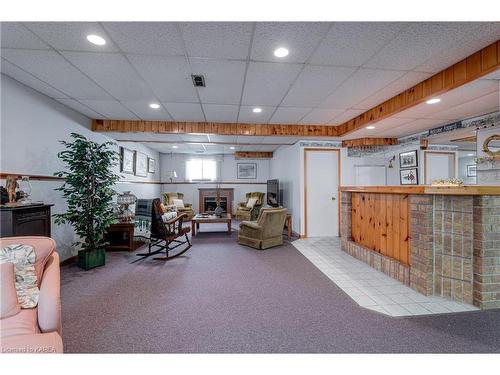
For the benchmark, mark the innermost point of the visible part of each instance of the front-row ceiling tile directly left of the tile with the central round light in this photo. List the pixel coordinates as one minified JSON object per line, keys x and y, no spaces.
{"x":217,"y":39}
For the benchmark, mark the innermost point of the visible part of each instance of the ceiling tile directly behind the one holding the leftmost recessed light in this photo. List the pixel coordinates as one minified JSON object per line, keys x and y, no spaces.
{"x":112,"y":72}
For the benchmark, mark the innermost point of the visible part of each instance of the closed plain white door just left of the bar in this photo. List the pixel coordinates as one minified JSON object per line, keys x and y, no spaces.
{"x":322,"y":193}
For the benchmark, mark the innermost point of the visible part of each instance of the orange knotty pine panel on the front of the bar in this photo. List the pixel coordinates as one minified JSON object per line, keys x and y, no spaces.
{"x":381,"y":222}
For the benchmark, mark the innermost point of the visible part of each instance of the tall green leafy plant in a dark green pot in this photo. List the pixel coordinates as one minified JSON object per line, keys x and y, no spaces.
{"x":88,"y":190}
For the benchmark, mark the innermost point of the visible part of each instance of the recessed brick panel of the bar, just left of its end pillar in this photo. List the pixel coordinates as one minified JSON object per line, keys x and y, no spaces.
{"x":453,"y":232}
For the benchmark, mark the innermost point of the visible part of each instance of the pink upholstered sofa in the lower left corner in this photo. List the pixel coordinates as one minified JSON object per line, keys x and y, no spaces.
{"x":35,"y":330}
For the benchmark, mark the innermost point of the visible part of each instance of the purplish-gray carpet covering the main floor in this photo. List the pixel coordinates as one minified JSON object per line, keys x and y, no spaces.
{"x":225,"y":298}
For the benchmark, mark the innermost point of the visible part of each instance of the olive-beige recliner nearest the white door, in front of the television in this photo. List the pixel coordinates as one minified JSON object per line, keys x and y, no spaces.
{"x":266,"y":232}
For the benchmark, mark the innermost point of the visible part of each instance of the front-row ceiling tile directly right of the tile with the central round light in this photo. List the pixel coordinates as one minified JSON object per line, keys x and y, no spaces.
{"x":353,"y":43}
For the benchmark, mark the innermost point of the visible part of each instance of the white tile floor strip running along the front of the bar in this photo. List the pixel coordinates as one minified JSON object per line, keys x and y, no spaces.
{"x":370,"y":288}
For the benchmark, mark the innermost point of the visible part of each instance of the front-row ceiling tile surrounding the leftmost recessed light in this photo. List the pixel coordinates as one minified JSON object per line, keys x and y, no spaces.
{"x":71,"y":36}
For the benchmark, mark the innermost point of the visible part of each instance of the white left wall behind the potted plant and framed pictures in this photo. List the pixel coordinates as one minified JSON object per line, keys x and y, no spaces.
{"x":32,"y":125}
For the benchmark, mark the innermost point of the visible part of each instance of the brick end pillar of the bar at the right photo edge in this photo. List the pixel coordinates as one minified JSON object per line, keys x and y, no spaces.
{"x":486,"y":250}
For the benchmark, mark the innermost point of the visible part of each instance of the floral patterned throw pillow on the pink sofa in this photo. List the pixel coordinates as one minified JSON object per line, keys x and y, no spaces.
{"x":23,"y":257}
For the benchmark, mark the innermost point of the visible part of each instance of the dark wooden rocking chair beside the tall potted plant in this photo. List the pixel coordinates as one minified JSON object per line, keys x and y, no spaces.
{"x":164,"y":234}
